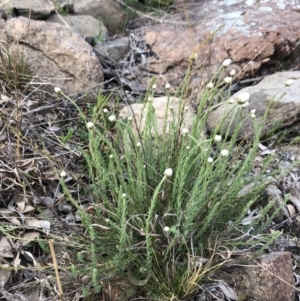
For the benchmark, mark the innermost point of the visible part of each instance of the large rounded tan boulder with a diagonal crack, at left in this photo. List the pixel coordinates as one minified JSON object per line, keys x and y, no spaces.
{"x":58,"y":56}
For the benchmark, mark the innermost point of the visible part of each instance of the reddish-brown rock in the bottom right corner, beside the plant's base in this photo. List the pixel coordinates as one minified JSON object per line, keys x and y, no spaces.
{"x":269,"y":278}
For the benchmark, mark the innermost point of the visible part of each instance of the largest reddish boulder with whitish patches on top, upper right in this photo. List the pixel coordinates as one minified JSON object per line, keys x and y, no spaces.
{"x":255,"y":35}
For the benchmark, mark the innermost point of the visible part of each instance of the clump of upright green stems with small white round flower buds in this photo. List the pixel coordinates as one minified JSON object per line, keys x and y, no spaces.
{"x":165,"y":208}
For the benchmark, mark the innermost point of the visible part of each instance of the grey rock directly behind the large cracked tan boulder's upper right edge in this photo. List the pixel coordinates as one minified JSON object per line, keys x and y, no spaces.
{"x":87,"y":26}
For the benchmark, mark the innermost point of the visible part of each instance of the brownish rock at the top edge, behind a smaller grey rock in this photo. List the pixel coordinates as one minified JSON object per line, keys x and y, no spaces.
{"x":109,"y":11}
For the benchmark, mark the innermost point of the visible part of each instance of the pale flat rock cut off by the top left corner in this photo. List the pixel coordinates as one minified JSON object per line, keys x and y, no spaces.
{"x":35,"y":9}
